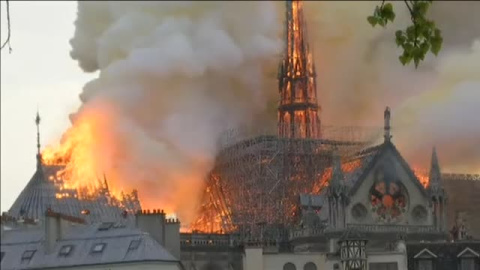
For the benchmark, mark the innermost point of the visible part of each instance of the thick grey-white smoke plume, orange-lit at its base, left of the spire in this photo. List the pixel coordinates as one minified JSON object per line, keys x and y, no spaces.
{"x":172,"y":77}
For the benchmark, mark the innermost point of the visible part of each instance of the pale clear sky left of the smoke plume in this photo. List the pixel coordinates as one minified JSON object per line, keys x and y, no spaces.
{"x":35,"y":75}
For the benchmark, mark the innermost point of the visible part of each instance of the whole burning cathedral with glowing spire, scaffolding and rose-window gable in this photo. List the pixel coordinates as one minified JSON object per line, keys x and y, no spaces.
{"x":300,"y":198}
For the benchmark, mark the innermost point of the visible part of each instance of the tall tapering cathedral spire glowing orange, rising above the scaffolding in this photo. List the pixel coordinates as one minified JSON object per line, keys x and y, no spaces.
{"x":298,"y":109}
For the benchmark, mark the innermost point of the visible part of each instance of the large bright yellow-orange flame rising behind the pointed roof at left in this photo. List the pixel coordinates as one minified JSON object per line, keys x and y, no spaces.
{"x":78,"y":154}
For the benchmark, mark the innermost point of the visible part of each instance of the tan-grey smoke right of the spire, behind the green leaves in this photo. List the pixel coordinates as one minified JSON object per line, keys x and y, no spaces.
{"x":359,"y":74}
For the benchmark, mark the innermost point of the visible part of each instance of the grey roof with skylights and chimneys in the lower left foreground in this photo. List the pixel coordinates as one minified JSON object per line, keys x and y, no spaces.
{"x":65,"y":242}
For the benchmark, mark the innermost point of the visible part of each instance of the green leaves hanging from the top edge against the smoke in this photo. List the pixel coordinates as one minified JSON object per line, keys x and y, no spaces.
{"x":417,"y":39}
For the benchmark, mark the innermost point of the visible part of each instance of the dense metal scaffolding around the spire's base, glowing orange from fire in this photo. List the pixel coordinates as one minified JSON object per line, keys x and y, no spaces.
{"x":254,"y":186}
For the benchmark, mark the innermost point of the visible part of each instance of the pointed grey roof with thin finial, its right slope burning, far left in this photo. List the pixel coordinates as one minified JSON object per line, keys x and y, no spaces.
{"x":48,"y":190}
